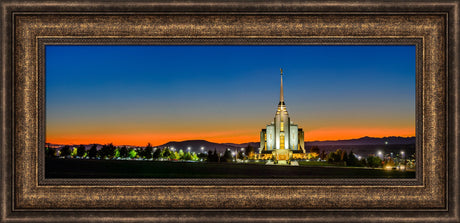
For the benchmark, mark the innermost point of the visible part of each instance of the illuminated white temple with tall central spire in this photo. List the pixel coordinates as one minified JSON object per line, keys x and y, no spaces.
{"x":282,"y":138}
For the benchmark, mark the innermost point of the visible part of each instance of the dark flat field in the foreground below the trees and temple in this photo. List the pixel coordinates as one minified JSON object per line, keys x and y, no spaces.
{"x":73,"y":168}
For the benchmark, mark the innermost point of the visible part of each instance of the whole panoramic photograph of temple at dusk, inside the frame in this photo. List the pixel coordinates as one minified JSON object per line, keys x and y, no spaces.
{"x":230,"y":111}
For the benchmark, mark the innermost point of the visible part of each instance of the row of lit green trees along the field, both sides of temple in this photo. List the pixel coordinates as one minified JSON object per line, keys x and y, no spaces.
{"x":109,"y":151}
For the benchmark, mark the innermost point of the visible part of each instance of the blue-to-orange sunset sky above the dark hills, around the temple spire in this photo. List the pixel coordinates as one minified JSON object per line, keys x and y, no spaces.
{"x":131,"y":95}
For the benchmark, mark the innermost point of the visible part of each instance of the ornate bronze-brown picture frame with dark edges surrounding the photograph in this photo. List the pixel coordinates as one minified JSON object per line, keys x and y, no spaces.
{"x":28,"y":26}
